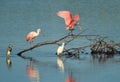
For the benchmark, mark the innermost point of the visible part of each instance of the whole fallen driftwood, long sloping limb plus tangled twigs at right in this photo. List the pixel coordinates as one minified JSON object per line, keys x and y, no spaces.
{"x":99,"y":46}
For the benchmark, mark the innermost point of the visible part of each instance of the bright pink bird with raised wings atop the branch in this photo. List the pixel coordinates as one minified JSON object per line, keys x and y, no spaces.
{"x":69,"y":20}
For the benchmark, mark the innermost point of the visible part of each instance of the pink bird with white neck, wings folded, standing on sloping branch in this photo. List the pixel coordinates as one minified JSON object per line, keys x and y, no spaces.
{"x":32,"y":35}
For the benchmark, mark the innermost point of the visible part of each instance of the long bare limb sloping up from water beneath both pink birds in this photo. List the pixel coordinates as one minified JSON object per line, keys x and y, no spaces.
{"x":69,"y":37}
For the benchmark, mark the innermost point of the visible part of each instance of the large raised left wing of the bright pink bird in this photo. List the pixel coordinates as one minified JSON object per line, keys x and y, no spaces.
{"x":66,"y":15}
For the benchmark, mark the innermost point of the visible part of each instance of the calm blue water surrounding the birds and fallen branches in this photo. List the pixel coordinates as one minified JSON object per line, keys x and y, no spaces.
{"x":18,"y":17}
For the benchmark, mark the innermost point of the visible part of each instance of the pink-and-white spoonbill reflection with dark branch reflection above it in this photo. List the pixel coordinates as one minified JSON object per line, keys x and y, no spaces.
{"x":32,"y":69}
